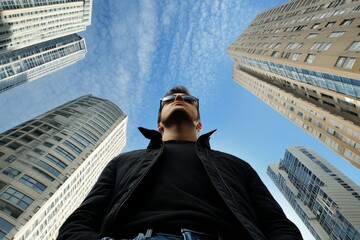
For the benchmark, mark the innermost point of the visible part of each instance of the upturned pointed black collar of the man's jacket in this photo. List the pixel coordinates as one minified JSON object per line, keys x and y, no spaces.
{"x":156,"y":138}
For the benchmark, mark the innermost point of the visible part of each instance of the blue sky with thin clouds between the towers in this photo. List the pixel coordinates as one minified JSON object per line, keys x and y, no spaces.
{"x":137,"y":50}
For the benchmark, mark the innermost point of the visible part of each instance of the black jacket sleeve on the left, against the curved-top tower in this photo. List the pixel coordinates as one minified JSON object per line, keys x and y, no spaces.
{"x":85,"y":222}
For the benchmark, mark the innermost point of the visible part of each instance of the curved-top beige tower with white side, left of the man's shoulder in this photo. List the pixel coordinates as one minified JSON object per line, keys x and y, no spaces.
{"x":49,"y":164}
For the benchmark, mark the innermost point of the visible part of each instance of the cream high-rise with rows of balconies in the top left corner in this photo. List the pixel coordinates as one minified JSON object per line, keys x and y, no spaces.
{"x":27,"y":22}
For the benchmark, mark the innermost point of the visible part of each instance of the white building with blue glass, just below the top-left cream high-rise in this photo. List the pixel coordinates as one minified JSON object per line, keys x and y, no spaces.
{"x":29,"y":63}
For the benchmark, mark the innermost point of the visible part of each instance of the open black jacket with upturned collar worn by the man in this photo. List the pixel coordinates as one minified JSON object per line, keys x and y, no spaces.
{"x":234,"y":179}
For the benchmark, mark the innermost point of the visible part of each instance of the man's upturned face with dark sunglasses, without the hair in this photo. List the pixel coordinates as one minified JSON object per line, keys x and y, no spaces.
{"x":179,"y":109}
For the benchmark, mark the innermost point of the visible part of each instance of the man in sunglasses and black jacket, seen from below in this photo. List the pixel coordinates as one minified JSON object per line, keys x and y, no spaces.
{"x":178,"y":188}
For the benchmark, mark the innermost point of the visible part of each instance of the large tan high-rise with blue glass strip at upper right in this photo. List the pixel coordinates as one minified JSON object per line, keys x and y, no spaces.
{"x":302,"y":58}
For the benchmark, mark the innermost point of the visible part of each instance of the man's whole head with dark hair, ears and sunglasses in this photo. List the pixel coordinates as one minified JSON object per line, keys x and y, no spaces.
{"x":178,"y":107}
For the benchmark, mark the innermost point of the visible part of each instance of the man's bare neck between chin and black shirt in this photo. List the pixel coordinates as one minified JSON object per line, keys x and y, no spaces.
{"x":186,"y":133}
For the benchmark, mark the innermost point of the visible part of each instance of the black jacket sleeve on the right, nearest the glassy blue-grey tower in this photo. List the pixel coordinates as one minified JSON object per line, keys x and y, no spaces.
{"x":272,"y":219}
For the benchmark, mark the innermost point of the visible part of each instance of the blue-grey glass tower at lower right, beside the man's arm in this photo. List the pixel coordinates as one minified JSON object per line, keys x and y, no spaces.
{"x":325,"y":199}
